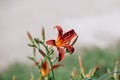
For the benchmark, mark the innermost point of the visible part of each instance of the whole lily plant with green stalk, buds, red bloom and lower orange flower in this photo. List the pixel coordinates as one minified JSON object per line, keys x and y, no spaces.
{"x":46,"y":65}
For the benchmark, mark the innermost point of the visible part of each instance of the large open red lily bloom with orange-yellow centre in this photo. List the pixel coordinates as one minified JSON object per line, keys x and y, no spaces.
{"x":62,"y":41}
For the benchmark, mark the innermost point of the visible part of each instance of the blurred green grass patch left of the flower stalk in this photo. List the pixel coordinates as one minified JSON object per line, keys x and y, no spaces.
{"x":20,"y":70}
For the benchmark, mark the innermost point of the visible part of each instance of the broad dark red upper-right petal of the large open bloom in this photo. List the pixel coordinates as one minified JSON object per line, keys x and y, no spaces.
{"x":69,"y":35}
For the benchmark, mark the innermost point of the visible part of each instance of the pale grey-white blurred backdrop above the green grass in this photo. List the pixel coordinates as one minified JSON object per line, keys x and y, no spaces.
{"x":97,"y":22}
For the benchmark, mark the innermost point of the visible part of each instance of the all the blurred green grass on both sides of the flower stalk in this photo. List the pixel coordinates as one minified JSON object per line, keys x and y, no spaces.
{"x":91,"y":58}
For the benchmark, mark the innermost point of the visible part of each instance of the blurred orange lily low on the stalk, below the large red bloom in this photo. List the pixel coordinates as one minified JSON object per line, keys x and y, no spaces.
{"x":45,"y":68}
